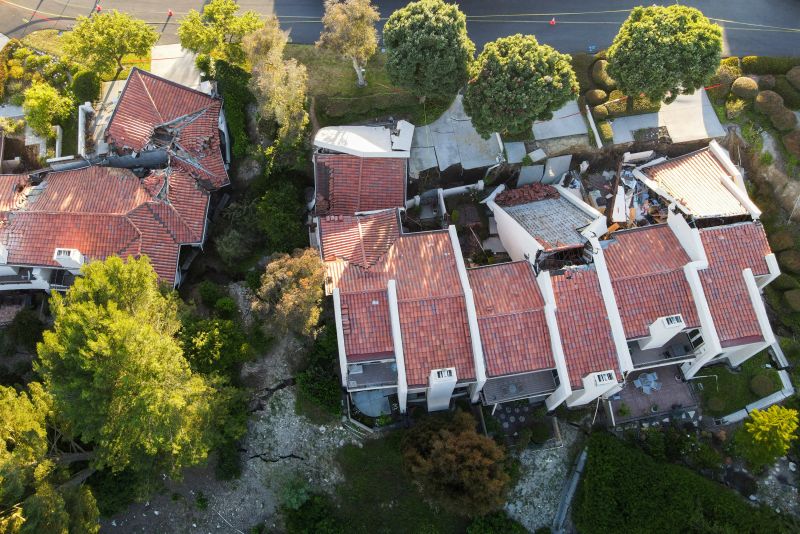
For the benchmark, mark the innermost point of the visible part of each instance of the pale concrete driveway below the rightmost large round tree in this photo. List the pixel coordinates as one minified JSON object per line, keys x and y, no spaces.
{"x":688,"y":118}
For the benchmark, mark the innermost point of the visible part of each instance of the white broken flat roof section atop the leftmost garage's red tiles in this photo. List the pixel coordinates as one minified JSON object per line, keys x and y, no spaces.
{"x":367,"y":141}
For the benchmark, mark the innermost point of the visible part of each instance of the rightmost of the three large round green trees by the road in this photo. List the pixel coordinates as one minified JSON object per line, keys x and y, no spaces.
{"x":663,"y":50}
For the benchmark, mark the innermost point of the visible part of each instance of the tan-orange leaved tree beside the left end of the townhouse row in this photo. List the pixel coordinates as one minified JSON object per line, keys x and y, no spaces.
{"x":291,"y":291}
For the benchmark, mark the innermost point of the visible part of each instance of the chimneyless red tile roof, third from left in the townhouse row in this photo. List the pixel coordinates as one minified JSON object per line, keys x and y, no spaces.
{"x":511,"y":319}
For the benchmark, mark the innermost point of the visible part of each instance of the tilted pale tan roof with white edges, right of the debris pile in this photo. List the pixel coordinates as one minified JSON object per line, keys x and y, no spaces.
{"x":704,"y":183}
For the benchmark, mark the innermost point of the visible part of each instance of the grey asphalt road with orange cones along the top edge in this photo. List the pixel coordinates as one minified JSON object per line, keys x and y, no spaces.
{"x":762,"y":27}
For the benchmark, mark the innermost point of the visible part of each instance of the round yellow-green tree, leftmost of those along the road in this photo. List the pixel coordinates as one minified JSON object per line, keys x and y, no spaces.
{"x":102,"y":40}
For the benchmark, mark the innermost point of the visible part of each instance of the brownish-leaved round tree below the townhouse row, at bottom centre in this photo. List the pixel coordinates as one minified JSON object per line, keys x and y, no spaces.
{"x":463,"y":469}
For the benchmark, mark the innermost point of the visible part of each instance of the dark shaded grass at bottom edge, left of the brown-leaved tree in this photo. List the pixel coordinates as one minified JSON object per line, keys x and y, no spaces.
{"x":377,"y":495}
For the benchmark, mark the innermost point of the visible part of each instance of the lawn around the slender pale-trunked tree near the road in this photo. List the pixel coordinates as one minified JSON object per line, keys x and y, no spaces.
{"x":332,"y":83}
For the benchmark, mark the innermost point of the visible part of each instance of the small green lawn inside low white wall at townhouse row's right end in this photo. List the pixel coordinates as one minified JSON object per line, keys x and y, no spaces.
{"x":734,"y":388}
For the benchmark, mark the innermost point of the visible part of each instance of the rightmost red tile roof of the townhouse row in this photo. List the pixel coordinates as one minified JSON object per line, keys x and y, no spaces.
{"x":730,"y":250}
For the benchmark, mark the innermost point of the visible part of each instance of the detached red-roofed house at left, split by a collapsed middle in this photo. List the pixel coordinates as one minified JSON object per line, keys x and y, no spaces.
{"x":150,"y":196}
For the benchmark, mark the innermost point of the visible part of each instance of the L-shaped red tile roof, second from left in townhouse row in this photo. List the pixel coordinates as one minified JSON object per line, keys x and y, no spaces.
{"x":431,"y":301}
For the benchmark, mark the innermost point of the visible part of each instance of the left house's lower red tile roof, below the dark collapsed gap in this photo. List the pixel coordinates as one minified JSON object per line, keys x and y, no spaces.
{"x":103,"y":212}
